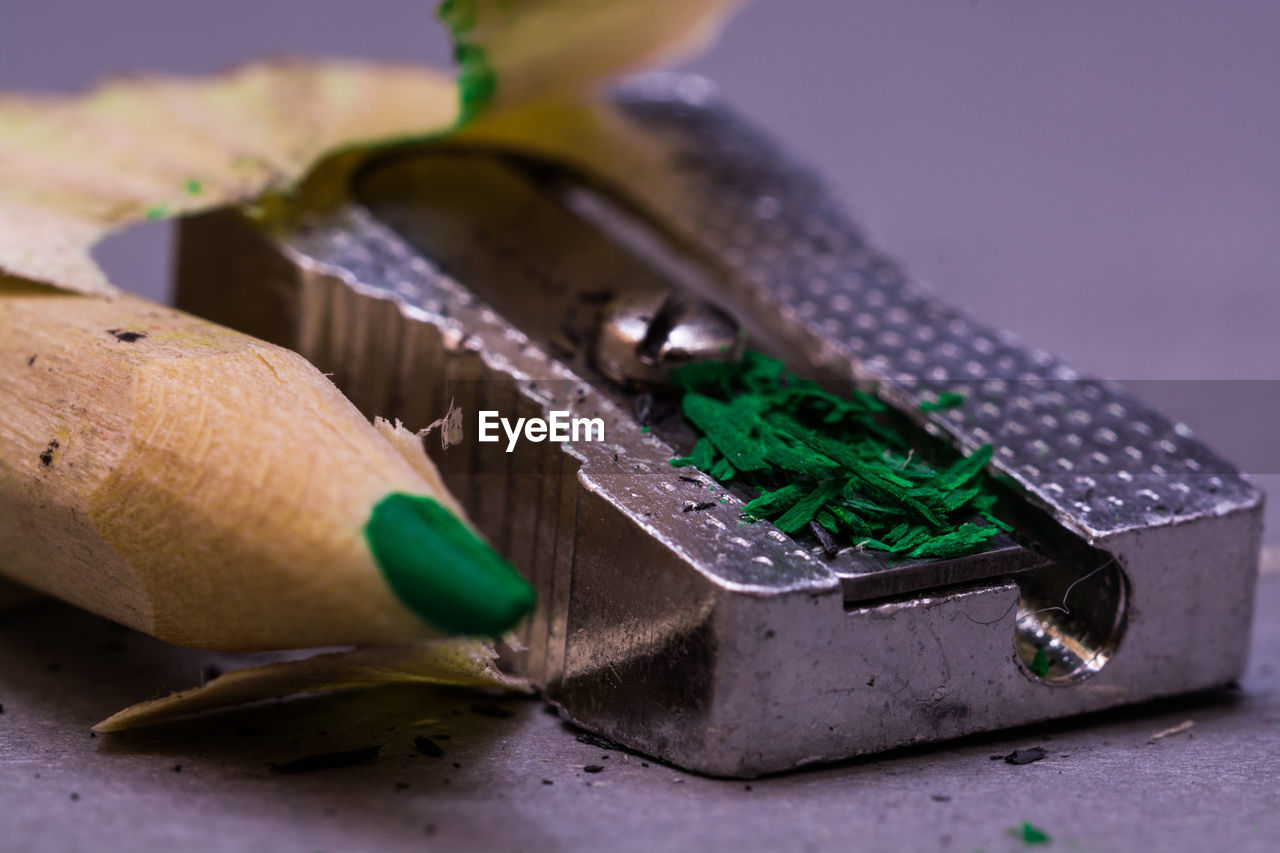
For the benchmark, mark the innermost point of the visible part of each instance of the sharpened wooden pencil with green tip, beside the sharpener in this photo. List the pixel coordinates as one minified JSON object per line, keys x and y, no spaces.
{"x":217,"y":491}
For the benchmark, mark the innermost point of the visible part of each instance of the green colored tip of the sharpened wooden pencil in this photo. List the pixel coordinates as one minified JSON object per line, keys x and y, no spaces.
{"x":442,"y":571}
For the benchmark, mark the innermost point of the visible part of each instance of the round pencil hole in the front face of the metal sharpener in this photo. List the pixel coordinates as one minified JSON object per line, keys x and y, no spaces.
{"x":1071,"y":621}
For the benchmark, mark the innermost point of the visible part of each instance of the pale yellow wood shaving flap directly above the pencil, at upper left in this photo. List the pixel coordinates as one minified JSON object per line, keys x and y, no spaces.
{"x":75,"y":168}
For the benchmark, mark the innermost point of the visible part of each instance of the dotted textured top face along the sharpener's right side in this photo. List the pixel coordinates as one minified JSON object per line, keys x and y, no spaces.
{"x":1086,"y":450}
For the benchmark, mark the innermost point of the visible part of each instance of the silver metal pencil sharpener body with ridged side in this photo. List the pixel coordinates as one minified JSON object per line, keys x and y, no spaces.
{"x":725,"y":647}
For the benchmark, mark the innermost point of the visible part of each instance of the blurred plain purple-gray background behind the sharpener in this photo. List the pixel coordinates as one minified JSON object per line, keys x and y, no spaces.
{"x":1101,"y":177}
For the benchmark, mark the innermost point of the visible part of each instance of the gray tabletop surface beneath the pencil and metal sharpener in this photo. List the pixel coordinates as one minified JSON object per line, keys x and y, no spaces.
{"x":519,"y":783}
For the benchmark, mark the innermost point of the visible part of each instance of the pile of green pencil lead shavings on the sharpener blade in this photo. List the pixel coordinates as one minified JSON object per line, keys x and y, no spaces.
{"x":838,"y":463}
